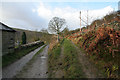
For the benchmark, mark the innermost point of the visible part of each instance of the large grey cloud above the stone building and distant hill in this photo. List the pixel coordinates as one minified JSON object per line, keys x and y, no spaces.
{"x":22,"y":11}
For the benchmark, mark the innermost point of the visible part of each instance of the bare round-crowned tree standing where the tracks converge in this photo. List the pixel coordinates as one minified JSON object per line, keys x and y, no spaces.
{"x":56,"y":24}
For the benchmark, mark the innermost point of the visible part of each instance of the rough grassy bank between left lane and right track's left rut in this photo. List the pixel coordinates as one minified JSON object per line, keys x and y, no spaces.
{"x":53,"y":58}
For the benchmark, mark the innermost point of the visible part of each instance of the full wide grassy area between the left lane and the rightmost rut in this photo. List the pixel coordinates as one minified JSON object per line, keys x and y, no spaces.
{"x":70,"y":65}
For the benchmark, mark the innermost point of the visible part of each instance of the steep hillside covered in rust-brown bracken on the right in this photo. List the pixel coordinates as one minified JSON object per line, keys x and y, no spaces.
{"x":101,"y":41}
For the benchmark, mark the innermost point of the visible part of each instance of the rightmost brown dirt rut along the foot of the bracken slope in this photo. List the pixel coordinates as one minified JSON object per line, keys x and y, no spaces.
{"x":88,"y":67}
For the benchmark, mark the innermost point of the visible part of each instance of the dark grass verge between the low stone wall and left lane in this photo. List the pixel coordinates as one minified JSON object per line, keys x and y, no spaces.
{"x":12,"y":57}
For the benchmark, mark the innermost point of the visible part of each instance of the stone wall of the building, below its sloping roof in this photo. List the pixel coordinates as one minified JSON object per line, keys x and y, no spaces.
{"x":8,"y":42}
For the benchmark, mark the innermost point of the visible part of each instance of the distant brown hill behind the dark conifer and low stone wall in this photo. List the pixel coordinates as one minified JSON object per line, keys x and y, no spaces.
{"x":31,"y":35}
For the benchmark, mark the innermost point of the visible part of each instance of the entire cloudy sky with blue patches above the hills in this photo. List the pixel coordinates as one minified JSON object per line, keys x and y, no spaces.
{"x":35,"y":15}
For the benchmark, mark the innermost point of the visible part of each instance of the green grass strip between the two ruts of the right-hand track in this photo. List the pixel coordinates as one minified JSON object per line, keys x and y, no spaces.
{"x":72,"y":66}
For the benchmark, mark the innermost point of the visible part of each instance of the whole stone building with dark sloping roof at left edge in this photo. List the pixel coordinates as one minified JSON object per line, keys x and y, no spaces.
{"x":7,"y":41}
